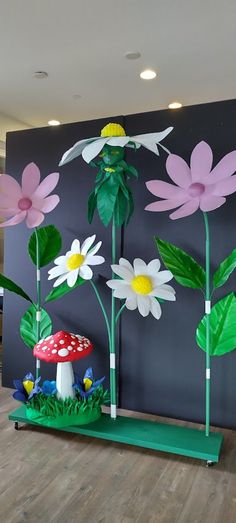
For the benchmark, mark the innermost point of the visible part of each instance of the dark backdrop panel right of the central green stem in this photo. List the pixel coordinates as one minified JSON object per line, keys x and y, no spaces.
{"x":162,"y":369}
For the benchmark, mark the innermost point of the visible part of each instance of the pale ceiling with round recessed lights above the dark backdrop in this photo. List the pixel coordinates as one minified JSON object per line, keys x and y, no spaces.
{"x":82,"y":46}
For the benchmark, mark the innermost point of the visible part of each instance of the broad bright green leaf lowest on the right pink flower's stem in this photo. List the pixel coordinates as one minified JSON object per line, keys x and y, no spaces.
{"x":222,"y":327}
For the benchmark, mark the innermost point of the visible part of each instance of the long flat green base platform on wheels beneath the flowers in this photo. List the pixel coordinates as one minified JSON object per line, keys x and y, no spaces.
{"x":143,"y":433}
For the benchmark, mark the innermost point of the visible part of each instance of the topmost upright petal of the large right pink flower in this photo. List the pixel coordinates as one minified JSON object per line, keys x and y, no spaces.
{"x":201,"y":162}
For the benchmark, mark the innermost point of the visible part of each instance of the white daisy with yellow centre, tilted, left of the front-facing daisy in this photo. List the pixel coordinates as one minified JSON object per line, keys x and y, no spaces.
{"x":76,"y":262}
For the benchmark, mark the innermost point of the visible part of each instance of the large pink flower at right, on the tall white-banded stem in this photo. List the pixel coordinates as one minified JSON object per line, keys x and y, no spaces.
{"x":196,"y":186}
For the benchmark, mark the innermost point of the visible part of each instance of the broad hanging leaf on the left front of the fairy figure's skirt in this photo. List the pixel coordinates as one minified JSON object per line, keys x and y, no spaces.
{"x":106,"y":199}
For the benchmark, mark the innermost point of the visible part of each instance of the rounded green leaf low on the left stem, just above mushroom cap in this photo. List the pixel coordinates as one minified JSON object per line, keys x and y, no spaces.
{"x":28,"y":326}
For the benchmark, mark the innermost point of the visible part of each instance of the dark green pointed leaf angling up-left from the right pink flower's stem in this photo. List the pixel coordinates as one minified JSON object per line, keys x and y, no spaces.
{"x":184,"y":268}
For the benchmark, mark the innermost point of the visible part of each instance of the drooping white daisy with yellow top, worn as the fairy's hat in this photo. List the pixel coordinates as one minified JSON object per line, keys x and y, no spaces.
{"x":114,"y":134}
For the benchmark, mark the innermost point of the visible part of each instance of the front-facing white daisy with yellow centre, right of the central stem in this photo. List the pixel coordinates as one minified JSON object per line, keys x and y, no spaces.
{"x":141,"y":284}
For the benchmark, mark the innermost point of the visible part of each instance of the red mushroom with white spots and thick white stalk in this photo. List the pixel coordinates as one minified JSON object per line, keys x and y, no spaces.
{"x":63,"y":348}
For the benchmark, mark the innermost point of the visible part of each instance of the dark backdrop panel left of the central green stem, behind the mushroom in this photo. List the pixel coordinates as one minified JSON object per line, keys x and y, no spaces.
{"x":77,"y":312}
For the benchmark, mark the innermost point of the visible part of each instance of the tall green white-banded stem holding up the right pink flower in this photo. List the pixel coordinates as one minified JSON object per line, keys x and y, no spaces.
{"x":208,"y":340}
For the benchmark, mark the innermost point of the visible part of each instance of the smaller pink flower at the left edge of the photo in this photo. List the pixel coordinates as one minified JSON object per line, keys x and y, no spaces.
{"x":30,"y":201}
